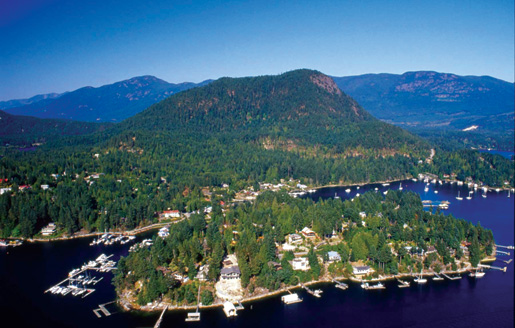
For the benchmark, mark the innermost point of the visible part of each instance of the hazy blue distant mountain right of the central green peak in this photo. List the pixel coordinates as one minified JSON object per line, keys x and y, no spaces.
{"x":435,"y":100}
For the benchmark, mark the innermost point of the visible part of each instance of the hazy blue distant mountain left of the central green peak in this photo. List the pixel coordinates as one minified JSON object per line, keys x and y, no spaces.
{"x":109,"y":103}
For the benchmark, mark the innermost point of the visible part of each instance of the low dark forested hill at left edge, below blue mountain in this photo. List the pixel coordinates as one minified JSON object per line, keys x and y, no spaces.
{"x":26,"y":130}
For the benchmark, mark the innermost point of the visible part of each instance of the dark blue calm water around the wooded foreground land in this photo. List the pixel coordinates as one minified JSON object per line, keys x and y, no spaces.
{"x":27,"y":271}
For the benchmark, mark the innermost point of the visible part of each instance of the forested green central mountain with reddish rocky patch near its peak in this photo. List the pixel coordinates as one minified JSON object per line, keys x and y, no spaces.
{"x":301,"y":107}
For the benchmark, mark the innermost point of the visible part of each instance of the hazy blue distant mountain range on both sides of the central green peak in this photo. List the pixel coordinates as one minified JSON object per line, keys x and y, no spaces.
{"x":413,"y":100}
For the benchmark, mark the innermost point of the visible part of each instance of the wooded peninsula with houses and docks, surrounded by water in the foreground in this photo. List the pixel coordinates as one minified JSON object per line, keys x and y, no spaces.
{"x":238,"y":252}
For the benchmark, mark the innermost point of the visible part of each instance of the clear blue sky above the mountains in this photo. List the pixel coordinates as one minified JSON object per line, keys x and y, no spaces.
{"x":61,"y":45}
